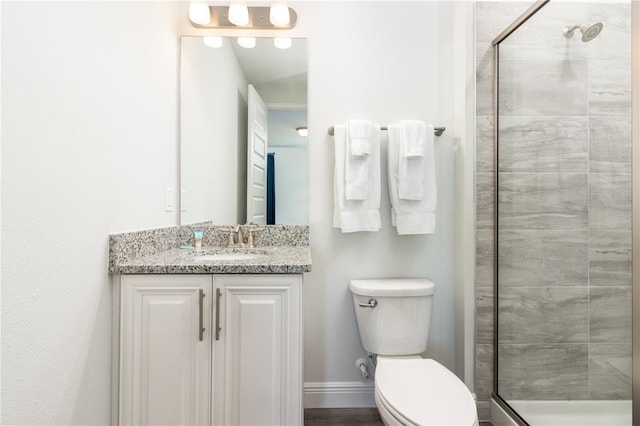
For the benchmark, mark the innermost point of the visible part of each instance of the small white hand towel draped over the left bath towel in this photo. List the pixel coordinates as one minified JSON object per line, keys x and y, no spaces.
{"x":358,"y":159}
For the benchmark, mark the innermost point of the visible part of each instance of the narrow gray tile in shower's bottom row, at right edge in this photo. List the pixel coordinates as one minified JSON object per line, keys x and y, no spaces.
{"x":610,"y":371}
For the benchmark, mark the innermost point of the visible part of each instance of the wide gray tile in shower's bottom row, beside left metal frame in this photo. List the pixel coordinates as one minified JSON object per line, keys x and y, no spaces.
{"x":548,"y":372}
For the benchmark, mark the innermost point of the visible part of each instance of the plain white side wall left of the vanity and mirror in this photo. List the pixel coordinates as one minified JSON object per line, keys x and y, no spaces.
{"x":89,"y":143}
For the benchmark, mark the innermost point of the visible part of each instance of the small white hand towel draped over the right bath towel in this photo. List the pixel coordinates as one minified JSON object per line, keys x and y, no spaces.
{"x":414,"y":141}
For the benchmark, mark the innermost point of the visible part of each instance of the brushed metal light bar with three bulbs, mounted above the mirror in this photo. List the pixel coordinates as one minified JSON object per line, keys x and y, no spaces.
{"x":238,"y":16}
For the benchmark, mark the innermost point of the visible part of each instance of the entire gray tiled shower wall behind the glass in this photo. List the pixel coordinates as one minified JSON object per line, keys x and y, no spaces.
{"x":565,"y":201}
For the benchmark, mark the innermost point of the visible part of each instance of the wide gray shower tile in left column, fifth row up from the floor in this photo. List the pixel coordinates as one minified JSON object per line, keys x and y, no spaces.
{"x":543,"y":144}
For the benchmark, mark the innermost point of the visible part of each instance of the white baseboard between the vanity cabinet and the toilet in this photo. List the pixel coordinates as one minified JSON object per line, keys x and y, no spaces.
{"x":338,"y":395}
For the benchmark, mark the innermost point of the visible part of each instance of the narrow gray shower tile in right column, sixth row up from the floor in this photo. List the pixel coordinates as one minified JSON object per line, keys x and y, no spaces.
{"x":610,"y":87}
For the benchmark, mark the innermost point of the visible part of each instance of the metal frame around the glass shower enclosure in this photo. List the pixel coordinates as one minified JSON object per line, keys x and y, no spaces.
{"x":635,"y":197}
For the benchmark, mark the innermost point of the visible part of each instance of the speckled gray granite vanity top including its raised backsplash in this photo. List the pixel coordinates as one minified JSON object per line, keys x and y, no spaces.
{"x":280,"y":249}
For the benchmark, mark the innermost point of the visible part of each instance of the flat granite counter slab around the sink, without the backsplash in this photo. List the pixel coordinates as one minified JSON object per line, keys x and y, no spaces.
{"x":265,"y":260}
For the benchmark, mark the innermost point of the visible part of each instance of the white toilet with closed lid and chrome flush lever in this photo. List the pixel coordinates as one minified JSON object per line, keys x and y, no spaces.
{"x":393,"y":318}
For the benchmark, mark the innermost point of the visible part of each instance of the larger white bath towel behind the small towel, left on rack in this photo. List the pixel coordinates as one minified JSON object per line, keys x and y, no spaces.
{"x":356,"y":215}
